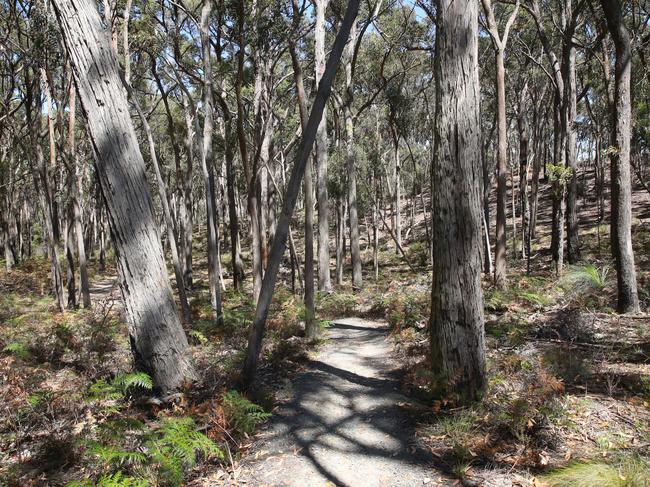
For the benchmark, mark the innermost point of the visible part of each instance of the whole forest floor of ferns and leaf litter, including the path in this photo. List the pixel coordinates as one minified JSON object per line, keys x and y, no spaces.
{"x":567,"y":403}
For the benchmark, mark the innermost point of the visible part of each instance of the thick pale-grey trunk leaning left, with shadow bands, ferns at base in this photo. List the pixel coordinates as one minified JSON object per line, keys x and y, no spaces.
{"x":157,"y":338}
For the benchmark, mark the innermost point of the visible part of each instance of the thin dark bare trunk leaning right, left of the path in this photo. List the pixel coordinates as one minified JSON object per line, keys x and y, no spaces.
{"x":291,"y":193}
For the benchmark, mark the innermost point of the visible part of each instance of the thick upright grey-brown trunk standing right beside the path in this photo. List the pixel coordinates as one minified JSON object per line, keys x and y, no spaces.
{"x":456,"y":325}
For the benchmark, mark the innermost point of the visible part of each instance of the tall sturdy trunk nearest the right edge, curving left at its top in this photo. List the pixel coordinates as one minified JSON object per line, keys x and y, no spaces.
{"x":621,"y":225}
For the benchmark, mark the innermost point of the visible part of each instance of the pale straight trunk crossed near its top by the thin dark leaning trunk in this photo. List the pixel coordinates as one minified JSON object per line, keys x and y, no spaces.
{"x":324,"y":278}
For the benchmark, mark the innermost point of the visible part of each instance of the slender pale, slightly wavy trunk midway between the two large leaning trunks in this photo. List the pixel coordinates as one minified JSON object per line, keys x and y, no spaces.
{"x":207,"y":167}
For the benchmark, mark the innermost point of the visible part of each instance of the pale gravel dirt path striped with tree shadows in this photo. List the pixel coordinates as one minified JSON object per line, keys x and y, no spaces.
{"x":344,"y":422}
